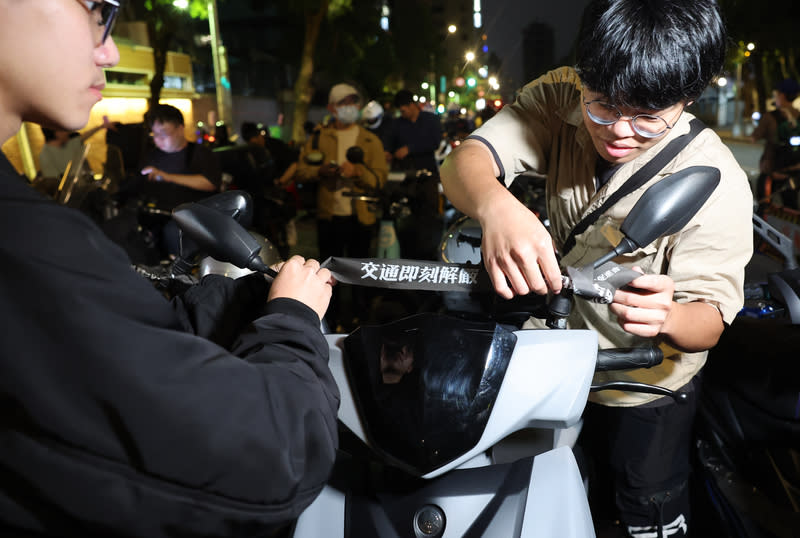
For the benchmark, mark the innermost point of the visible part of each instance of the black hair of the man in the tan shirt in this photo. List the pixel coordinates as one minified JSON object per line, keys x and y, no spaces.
{"x":650,"y":54}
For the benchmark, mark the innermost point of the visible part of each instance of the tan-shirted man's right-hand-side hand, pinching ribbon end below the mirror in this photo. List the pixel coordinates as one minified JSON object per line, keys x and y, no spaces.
{"x":644,"y":307}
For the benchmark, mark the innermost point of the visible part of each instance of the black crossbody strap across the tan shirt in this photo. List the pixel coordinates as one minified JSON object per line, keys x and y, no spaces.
{"x":638,"y":179}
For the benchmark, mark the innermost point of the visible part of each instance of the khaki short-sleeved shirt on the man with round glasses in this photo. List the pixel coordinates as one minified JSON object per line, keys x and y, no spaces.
{"x":543,"y":131}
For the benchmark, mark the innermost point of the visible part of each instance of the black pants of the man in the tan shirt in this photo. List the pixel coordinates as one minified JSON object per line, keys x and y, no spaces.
{"x":639,"y":465}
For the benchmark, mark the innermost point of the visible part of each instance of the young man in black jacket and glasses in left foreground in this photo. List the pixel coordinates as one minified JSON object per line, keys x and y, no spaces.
{"x":123,"y":414}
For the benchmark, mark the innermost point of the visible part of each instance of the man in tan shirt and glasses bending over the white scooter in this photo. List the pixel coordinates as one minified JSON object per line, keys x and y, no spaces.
{"x":588,"y":129}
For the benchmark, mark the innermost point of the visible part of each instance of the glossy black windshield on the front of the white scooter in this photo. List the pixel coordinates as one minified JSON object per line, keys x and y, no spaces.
{"x":425,"y":385}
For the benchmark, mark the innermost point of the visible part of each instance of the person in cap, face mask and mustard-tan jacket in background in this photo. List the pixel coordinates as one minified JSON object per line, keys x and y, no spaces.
{"x":345,"y":226}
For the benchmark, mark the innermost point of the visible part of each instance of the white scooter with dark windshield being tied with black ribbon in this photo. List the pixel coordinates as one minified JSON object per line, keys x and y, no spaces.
{"x":432,"y":408}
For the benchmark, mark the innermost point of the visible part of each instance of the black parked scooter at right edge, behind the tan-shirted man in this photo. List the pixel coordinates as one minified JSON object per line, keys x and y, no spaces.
{"x":748,"y":421}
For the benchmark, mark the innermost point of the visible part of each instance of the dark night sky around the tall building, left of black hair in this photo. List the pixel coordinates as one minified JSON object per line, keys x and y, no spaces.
{"x":505,"y":19}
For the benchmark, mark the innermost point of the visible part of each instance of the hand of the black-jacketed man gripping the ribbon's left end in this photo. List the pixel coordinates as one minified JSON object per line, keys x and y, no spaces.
{"x":304,"y":281}
